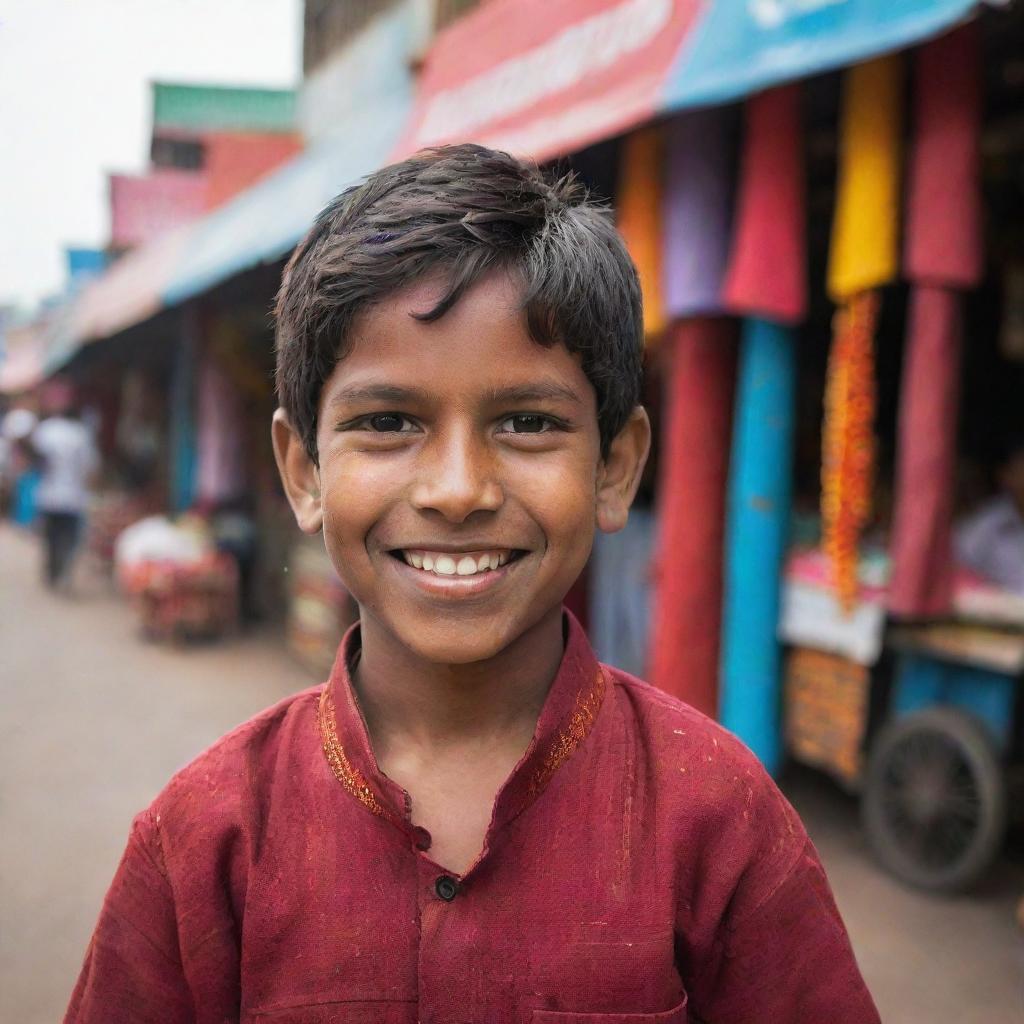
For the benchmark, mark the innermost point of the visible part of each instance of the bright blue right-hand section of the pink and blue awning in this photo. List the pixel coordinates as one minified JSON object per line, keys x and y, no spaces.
{"x":744,"y":47}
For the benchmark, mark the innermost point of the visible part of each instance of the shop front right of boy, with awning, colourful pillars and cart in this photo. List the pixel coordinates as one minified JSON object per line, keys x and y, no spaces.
{"x":817,"y":197}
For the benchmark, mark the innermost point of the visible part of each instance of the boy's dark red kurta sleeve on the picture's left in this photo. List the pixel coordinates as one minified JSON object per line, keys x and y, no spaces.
{"x":133,"y":971}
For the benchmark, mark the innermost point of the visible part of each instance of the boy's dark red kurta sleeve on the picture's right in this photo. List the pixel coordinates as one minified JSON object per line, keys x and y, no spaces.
{"x":783,"y":955}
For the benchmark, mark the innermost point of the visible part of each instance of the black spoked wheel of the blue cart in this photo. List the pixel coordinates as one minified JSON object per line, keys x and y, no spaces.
{"x":934,"y":804}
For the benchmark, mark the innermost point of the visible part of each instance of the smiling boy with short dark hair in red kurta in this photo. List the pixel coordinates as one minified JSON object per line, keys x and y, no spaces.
{"x":474,"y":821}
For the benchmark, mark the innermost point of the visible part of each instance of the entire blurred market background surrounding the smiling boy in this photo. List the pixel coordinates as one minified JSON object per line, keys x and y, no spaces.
{"x":824,"y":199}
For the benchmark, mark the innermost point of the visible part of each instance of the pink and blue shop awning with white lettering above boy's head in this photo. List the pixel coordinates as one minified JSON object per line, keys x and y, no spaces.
{"x":547,"y":77}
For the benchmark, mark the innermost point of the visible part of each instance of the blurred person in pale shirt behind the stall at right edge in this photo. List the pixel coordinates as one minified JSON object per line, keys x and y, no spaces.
{"x":992,"y":540}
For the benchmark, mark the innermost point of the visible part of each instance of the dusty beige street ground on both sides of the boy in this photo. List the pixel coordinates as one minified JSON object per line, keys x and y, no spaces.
{"x":96,"y":721}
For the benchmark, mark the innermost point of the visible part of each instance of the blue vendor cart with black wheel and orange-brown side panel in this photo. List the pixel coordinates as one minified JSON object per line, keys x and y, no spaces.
{"x":924,"y":722}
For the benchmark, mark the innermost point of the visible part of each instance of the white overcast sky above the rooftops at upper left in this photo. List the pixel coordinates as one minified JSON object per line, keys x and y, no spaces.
{"x":75,"y":104}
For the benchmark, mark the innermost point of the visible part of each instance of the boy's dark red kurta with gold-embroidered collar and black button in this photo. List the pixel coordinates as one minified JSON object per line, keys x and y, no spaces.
{"x":639,"y":867}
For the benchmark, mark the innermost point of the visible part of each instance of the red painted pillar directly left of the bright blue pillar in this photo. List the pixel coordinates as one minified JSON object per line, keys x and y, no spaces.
{"x":695,"y":465}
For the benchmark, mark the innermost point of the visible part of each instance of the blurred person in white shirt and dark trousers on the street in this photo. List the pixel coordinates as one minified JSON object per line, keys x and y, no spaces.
{"x":65,"y":452}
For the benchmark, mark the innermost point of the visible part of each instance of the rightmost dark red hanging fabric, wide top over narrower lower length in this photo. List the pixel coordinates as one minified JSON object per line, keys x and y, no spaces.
{"x":944,"y":252}
